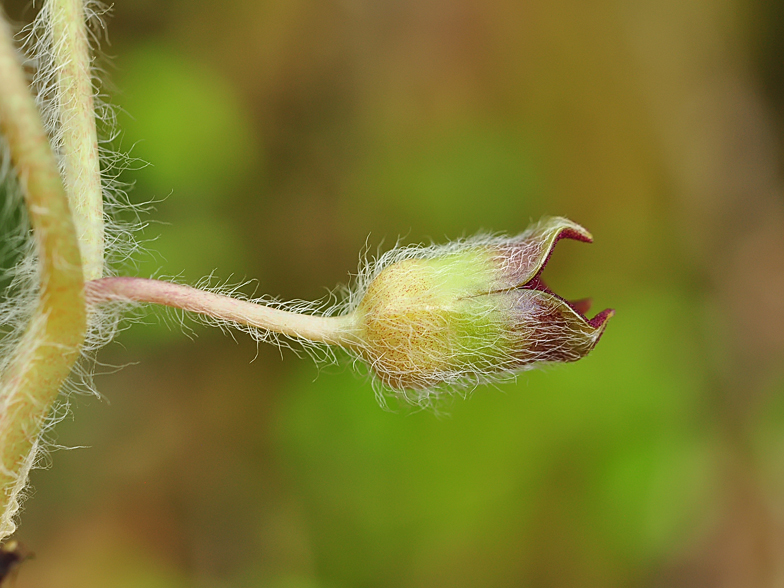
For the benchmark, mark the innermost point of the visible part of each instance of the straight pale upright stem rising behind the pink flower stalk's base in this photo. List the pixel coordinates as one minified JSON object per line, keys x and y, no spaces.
{"x":79,"y":147}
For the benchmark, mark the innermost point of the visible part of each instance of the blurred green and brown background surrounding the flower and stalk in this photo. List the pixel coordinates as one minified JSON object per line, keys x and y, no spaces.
{"x":283,"y":138}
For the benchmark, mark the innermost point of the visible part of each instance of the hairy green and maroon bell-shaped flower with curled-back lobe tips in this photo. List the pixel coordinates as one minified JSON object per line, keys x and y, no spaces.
{"x":472,"y":311}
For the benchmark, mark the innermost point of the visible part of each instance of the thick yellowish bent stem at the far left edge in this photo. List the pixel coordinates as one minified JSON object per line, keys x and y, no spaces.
{"x":31,"y":378}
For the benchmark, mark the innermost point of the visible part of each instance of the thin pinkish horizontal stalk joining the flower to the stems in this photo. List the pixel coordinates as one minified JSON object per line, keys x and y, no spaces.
{"x":332,"y":330}
